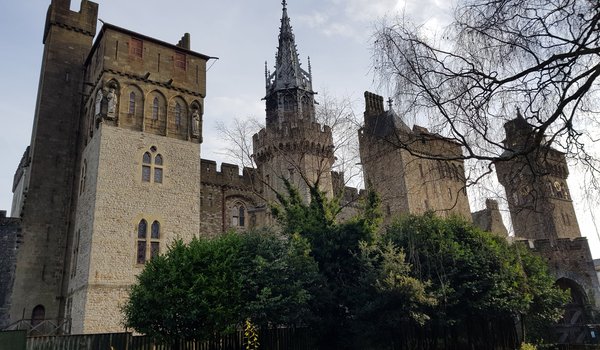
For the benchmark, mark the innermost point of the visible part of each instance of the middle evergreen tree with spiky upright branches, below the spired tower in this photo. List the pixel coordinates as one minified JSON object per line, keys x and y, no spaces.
{"x":364,"y":290}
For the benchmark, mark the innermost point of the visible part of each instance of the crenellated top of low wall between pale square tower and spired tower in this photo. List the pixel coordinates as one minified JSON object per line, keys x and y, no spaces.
{"x":229,"y":174}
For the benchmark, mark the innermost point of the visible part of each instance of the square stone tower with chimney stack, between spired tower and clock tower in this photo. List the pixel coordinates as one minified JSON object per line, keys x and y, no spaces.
{"x":412,"y":170}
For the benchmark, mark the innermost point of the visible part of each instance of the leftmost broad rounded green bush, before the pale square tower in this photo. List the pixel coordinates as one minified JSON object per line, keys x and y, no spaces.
{"x":212,"y":285}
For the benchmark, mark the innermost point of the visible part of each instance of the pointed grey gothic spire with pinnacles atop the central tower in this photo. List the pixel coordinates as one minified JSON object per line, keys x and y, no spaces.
{"x":288,"y":73}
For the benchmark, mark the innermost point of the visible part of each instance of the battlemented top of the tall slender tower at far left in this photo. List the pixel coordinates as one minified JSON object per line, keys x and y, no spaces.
{"x":84,"y":21}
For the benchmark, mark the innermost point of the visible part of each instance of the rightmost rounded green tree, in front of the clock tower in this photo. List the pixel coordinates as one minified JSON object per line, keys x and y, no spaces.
{"x":482,"y":282}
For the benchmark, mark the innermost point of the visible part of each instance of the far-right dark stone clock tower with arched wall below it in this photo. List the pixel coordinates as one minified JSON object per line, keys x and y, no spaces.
{"x":534,"y":176}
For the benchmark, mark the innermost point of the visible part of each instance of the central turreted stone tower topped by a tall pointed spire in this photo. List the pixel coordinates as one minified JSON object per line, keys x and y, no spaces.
{"x":292,"y":145}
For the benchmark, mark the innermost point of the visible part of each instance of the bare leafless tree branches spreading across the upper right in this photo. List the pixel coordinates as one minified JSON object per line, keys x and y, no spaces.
{"x":541,"y":57}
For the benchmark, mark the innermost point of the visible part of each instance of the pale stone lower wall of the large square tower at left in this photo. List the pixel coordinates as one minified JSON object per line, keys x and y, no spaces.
{"x":109,"y":233}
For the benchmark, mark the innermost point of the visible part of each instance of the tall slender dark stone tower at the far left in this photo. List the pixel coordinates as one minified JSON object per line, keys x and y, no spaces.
{"x":46,"y":190}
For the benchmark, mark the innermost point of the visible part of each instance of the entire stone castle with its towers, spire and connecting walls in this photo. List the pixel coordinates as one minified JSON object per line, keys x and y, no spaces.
{"x":114,"y":172}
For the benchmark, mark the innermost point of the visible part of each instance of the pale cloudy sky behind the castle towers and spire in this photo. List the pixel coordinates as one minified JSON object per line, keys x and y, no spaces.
{"x":336,"y":34}
